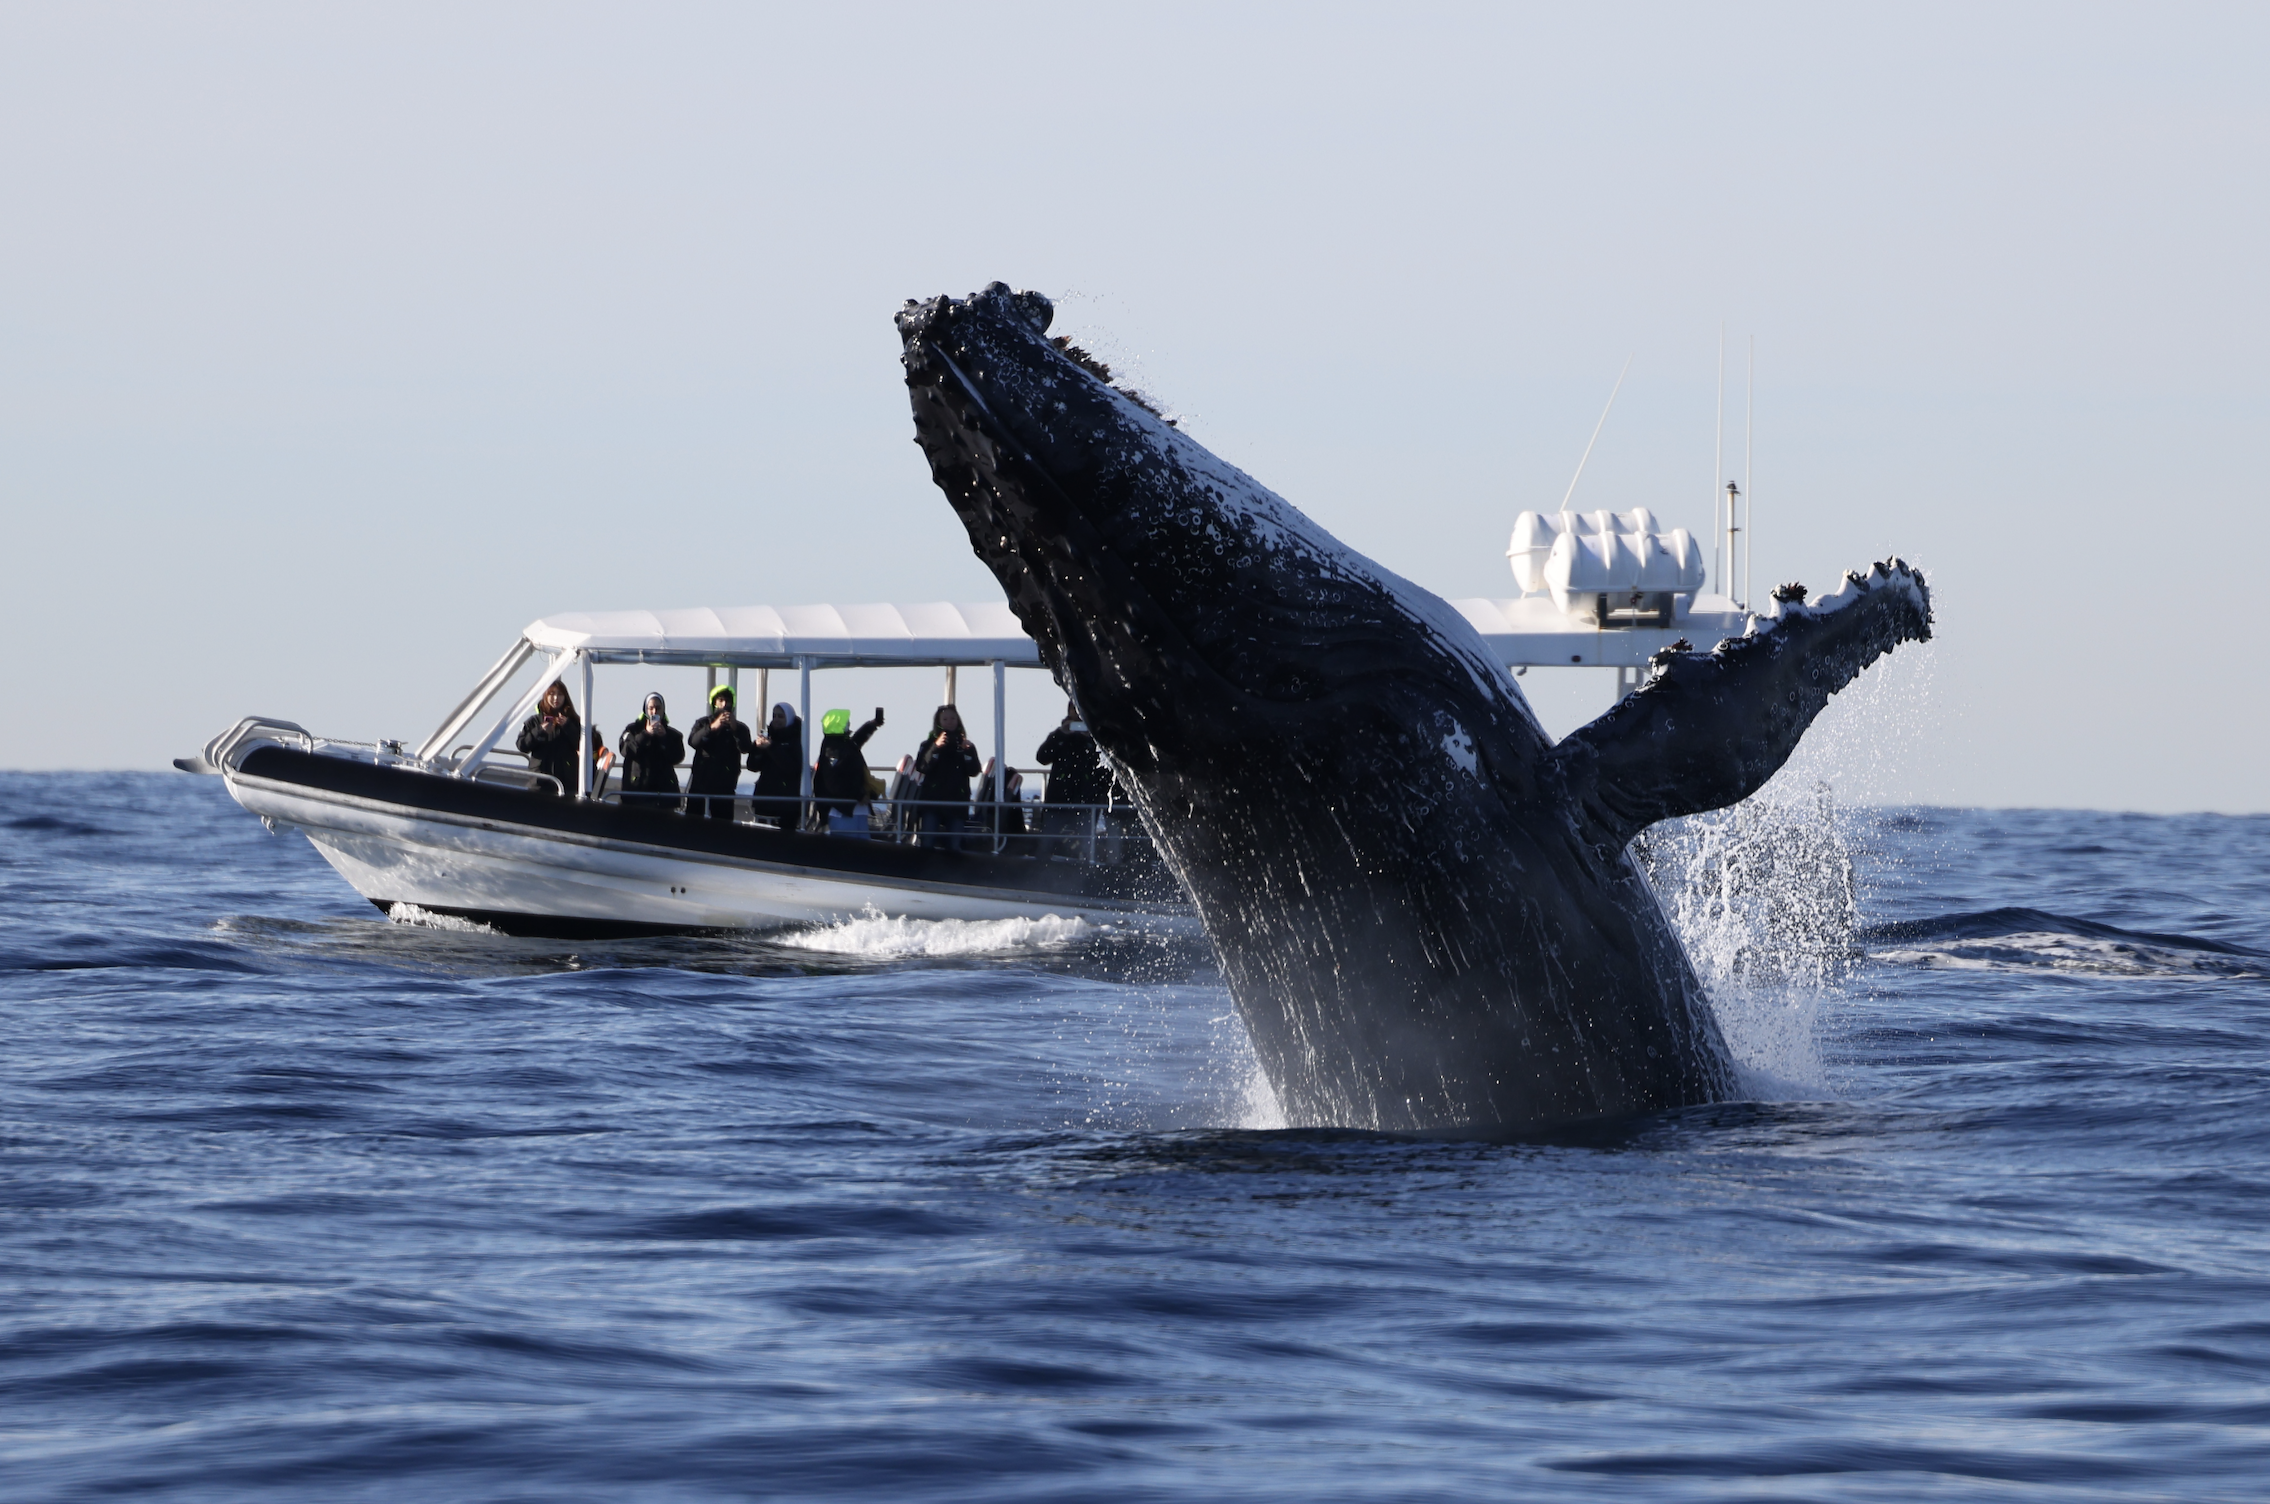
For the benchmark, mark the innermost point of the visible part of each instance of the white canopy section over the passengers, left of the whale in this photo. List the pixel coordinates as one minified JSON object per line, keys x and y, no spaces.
{"x":777,"y":636}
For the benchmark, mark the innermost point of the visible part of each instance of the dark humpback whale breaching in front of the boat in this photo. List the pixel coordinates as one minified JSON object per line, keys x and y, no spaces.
{"x":1424,"y":909}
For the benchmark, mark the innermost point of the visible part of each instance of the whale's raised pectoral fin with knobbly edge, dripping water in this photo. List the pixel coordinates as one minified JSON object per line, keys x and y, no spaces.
{"x":1708,"y":729}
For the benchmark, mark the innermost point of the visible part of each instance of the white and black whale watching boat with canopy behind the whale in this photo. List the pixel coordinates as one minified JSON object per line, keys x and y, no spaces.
{"x":457,"y":827}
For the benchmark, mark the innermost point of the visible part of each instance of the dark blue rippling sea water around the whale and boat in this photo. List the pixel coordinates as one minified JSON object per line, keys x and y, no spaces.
{"x":305,"y":1206}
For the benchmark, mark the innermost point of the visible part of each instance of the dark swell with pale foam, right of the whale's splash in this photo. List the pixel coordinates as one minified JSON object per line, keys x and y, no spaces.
{"x":2035,"y":940}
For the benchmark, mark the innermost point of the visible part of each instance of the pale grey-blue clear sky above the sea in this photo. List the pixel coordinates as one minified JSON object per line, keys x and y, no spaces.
{"x":337,"y":344}
